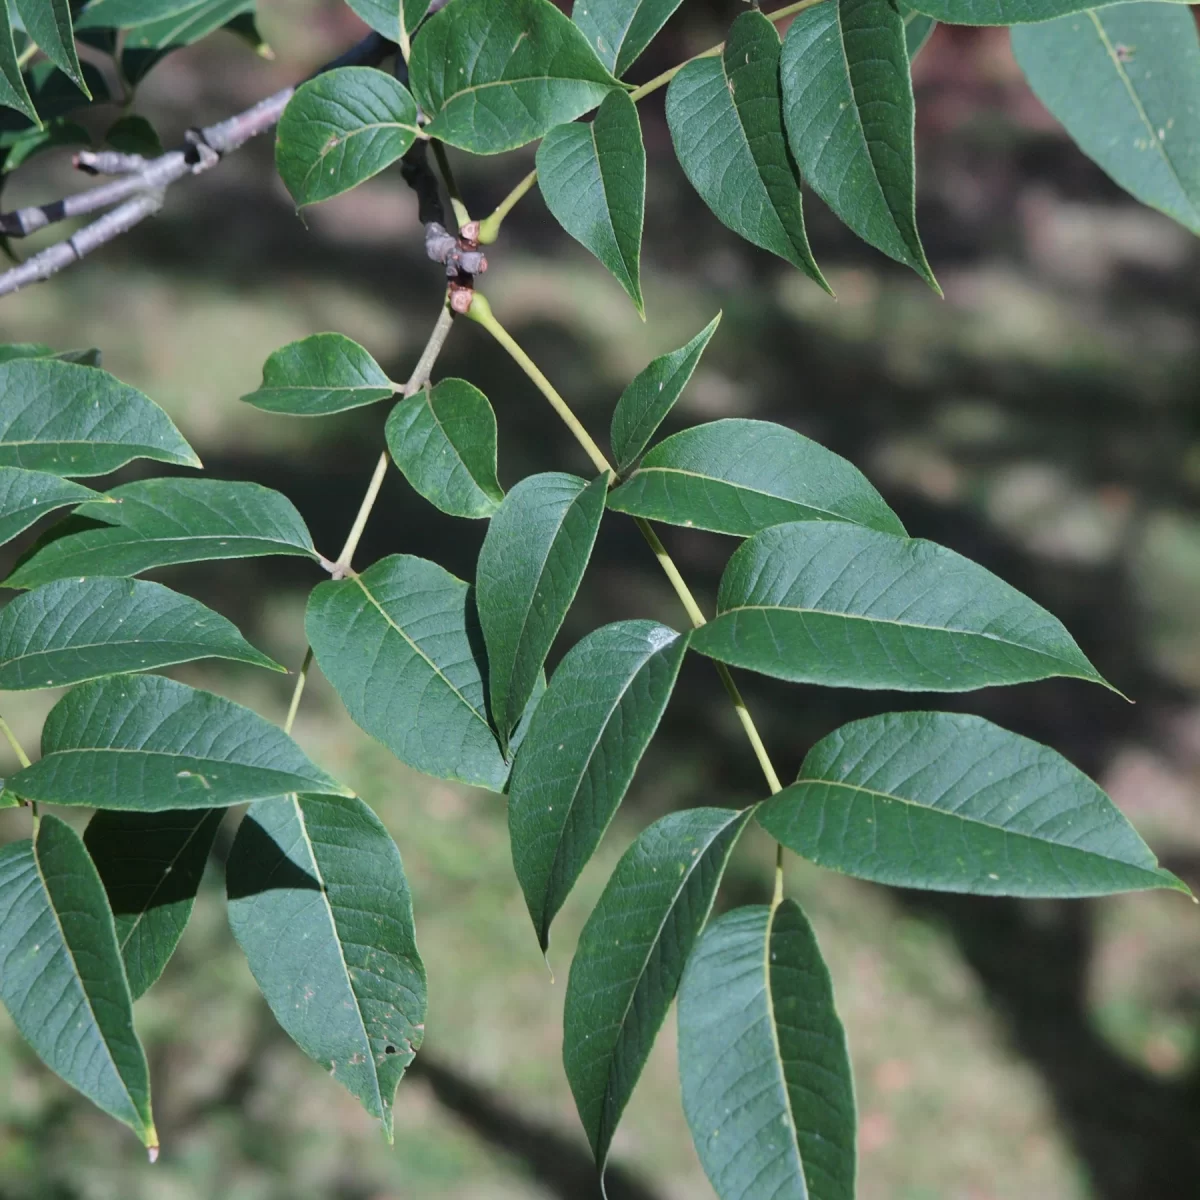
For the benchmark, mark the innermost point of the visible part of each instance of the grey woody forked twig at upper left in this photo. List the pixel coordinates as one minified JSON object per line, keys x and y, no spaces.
{"x":203,"y":149}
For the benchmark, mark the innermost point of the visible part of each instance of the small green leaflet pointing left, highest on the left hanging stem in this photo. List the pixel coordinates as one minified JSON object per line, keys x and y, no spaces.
{"x":321,"y":375}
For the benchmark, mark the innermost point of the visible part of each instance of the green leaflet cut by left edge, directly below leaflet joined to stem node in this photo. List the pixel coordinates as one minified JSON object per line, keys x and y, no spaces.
{"x":74,"y":631}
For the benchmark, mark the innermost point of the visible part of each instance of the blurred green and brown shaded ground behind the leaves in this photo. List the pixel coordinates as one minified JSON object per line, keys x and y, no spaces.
{"x":1043,"y":419}
